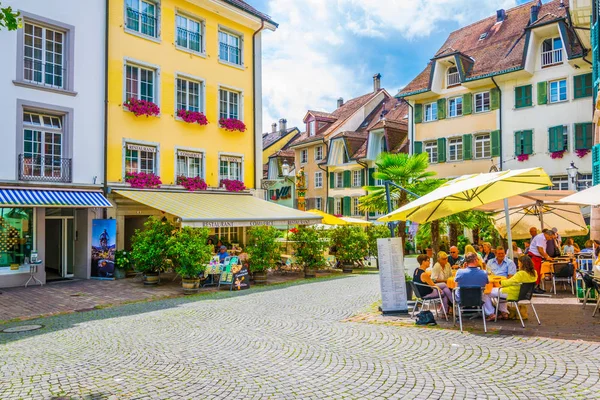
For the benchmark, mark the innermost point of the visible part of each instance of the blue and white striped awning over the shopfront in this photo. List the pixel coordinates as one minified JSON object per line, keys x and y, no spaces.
{"x":11,"y":197}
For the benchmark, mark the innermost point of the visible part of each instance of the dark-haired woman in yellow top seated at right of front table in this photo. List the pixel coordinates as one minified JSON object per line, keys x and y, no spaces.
{"x":510,"y":288}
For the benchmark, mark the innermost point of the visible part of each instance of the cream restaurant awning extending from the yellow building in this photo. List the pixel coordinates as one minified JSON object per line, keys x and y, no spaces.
{"x":215,"y":210}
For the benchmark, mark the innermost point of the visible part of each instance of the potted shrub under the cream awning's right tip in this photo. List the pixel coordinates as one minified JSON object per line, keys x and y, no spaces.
{"x":310,"y":246}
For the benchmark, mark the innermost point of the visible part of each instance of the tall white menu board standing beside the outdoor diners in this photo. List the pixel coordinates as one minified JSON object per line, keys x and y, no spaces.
{"x":391,"y":276}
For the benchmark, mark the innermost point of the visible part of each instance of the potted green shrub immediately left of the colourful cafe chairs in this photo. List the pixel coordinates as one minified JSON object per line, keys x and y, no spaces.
{"x":189,"y":252}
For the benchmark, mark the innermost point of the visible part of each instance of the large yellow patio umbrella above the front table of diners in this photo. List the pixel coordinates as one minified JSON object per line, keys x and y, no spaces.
{"x":468,"y":192}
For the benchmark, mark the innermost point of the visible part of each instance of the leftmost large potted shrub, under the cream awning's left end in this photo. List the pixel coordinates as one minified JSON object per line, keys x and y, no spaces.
{"x":150,"y":248}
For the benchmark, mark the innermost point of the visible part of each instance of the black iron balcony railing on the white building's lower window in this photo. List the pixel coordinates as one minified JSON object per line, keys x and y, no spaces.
{"x":44,"y":168}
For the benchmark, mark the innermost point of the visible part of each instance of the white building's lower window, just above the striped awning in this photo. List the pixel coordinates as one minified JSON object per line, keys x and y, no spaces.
{"x":43,"y":147}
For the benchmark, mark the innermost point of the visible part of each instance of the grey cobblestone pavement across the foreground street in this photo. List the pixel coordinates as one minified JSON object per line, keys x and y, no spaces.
{"x":283,"y":343}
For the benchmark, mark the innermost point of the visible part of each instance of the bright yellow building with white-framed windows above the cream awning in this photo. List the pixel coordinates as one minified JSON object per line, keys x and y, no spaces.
{"x":199,"y":56}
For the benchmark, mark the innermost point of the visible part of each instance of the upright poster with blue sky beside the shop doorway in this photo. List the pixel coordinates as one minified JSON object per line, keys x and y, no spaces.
{"x":104,"y":239}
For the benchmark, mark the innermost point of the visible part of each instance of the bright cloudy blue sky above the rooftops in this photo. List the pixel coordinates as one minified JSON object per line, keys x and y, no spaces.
{"x":316,"y":56}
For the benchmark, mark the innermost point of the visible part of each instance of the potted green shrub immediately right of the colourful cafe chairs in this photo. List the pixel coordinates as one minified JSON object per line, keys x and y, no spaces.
{"x":263,"y":251}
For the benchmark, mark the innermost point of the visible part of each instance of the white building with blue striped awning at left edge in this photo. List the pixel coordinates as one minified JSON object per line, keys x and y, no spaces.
{"x":52,"y":158}
